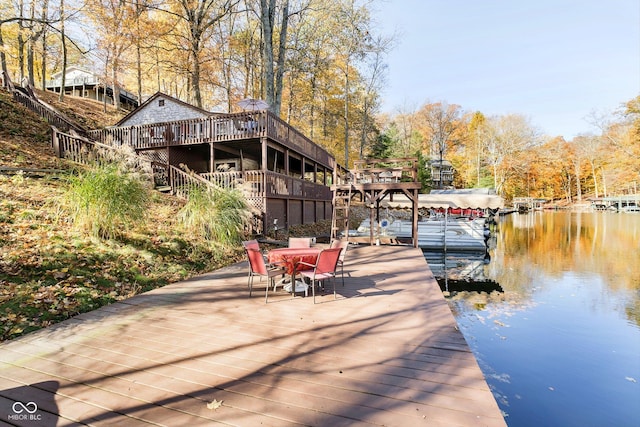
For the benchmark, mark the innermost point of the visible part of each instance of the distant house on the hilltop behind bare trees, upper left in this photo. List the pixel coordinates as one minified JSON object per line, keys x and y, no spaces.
{"x":86,"y":84}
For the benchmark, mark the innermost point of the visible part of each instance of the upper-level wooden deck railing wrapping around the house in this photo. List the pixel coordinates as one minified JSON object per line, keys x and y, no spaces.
{"x":218,"y":128}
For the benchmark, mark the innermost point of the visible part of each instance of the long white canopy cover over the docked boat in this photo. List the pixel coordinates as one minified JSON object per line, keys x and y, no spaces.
{"x":462,"y":200}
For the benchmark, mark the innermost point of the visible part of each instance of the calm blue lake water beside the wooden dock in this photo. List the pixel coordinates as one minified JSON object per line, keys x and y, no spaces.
{"x":553,"y":317}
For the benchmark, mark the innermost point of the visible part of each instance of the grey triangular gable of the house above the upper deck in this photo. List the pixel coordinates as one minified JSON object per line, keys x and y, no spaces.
{"x":161,"y":107}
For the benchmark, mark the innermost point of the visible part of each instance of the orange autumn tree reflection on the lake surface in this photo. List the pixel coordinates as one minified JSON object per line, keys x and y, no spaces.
{"x":550,"y":244}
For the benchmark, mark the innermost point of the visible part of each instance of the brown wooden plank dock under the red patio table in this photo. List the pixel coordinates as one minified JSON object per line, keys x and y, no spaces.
{"x":386,"y":353}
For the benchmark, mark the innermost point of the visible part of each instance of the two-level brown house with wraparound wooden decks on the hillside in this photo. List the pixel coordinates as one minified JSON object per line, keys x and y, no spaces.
{"x":286,"y":176}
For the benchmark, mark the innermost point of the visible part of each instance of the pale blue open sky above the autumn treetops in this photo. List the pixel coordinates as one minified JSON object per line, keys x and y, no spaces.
{"x":554,"y":62}
